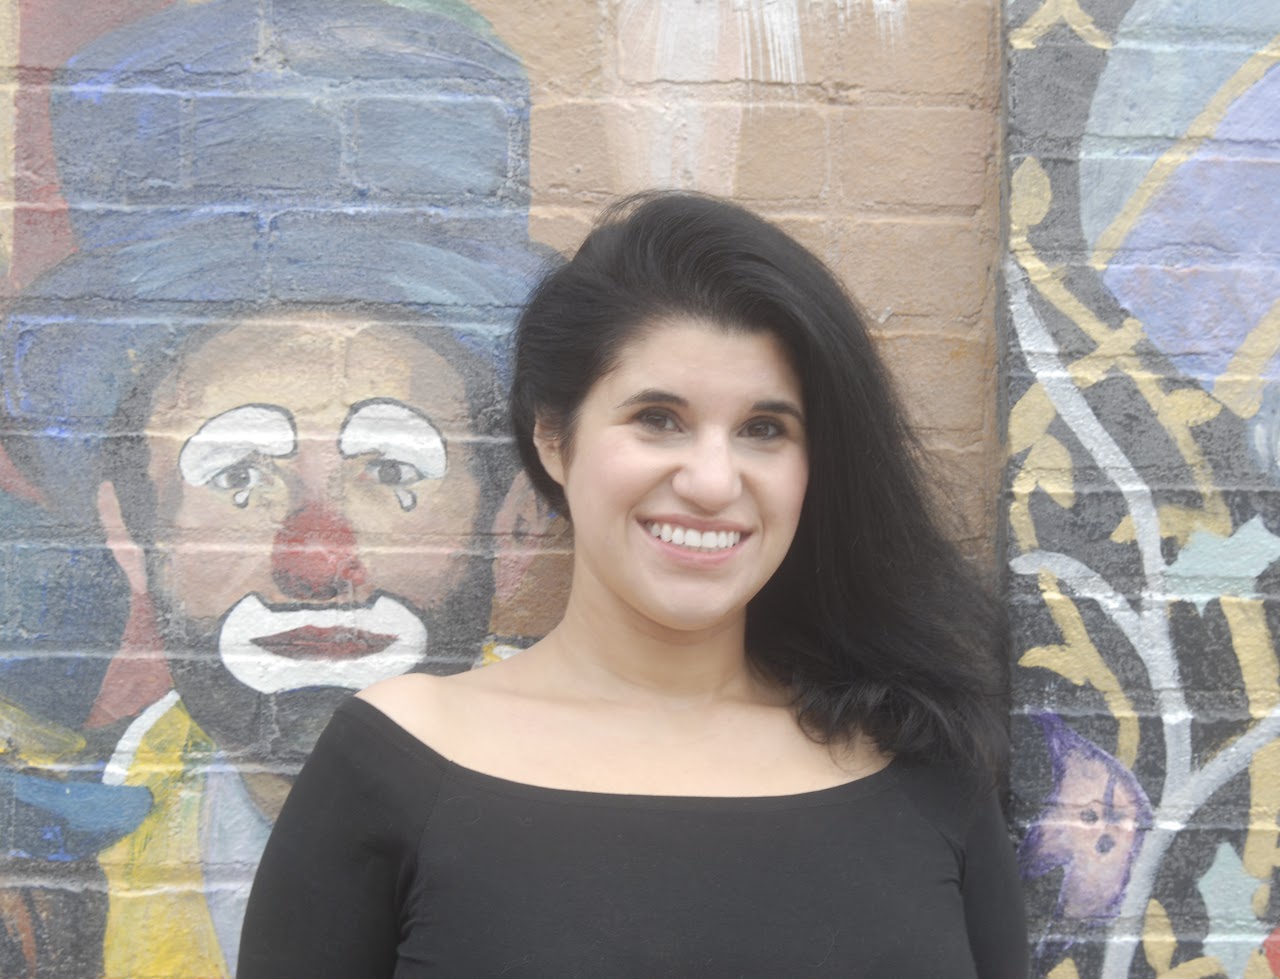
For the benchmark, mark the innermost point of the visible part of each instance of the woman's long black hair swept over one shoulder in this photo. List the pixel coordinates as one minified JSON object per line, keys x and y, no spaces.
{"x":874,"y":620}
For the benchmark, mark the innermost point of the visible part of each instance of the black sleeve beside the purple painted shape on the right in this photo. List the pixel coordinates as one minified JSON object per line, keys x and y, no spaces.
{"x":995,"y":914}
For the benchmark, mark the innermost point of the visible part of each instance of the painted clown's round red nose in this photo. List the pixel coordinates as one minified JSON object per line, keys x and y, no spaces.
{"x":314,"y":556}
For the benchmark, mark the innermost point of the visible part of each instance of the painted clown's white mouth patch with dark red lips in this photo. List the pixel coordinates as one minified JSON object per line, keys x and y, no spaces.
{"x":275,"y":651}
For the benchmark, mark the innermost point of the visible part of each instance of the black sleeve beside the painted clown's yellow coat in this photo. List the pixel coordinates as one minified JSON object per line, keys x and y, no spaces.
{"x":326,"y":902}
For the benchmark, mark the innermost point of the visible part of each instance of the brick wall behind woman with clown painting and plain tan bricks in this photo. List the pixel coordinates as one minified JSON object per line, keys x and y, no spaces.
{"x":260,"y":260}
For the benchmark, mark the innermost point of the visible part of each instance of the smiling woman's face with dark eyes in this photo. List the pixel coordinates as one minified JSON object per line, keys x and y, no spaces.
{"x":687,"y":477}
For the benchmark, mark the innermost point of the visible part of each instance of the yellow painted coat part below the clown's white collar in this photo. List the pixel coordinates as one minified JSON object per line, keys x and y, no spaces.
{"x":158,"y":922}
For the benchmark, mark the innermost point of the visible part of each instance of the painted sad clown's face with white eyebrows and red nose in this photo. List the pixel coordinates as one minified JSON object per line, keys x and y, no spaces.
{"x":310,"y":529}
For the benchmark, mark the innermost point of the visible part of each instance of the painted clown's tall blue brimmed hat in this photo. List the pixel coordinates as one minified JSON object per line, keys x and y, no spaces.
{"x":230,"y":155}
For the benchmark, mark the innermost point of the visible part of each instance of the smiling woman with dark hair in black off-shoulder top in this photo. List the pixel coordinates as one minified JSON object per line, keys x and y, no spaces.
{"x":766,"y":735}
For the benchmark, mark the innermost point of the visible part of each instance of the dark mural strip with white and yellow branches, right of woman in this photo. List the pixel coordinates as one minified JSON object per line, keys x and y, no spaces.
{"x":1144,"y":374}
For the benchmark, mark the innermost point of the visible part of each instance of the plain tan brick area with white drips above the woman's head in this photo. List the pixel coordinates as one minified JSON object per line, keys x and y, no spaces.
{"x":880,"y":152}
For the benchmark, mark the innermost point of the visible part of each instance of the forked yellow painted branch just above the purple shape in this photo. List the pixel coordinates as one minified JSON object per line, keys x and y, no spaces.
{"x":1078,"y":661}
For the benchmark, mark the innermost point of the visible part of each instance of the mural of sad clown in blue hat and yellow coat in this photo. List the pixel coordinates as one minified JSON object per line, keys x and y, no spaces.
{"x":254,"y":458}
